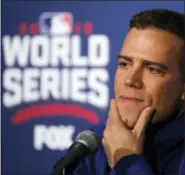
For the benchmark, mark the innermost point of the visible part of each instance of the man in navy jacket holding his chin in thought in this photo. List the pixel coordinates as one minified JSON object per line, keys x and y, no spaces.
{"x":144,"y":132}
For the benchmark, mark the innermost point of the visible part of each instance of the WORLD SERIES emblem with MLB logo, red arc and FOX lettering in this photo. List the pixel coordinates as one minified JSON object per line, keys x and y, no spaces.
{"x":55,"y":67}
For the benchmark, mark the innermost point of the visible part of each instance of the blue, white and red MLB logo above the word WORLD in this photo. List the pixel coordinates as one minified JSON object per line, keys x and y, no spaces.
{"x":56,"y":23}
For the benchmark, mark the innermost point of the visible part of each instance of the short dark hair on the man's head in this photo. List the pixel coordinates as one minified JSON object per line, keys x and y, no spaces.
{"x":163,"y":19}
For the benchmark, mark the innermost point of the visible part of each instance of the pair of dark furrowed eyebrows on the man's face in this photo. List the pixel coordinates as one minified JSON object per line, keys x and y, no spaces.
{"x":146,"y":62}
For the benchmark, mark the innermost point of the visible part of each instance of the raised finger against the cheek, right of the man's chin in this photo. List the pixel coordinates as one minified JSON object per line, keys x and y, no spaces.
{"x":143,"y":121}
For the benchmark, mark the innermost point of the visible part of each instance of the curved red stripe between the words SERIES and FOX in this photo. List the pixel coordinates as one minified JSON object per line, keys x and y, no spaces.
{"x":59,"y":110}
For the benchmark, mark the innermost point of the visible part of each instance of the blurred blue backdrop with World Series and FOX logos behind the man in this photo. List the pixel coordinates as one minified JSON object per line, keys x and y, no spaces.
{"x":58,"y":63}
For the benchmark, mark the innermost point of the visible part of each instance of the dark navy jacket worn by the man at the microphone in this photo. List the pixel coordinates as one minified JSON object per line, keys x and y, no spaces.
{"x":163,"y":153}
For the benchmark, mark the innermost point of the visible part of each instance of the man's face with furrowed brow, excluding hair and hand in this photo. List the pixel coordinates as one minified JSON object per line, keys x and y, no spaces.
{"x":148,"y":74}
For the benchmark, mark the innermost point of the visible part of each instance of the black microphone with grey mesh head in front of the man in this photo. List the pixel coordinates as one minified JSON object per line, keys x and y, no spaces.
{"x":85,"y":143}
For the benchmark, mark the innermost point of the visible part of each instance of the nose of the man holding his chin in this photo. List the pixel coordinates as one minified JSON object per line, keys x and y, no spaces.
{"x":134,"y":79}
